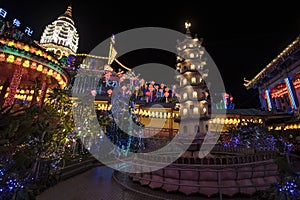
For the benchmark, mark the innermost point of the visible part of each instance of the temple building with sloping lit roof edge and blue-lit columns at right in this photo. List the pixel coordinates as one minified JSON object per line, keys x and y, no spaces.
{"x":279,"y":82}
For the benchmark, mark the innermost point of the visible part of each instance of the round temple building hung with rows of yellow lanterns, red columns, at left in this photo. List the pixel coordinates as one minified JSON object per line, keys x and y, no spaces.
{"x":28,"y":72}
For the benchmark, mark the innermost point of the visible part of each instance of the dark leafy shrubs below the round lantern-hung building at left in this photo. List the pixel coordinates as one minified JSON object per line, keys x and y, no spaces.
{"x":34,"y":140}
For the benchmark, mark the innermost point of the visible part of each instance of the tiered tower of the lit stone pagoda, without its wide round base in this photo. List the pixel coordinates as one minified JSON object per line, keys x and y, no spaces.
{"x":194,"y":95}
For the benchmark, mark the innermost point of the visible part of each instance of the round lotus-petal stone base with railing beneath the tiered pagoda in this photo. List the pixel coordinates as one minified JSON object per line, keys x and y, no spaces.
{"x":210,"y":176}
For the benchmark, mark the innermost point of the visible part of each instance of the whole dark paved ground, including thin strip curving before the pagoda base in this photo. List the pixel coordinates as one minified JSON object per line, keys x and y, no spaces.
{"x":99,"y":184}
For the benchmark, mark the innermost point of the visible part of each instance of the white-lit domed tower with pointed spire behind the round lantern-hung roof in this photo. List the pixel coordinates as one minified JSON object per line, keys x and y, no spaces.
{"x":61,"y":36}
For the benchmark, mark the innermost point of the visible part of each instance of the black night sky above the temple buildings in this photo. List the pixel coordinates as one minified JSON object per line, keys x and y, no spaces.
{"x":241,"y":38}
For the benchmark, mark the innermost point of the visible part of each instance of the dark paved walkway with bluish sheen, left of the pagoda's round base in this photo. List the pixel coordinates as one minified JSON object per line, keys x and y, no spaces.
{"x":95,"y":184}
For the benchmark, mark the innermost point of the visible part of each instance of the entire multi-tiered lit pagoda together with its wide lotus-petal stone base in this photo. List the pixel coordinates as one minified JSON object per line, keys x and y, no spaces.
{"x":224,"y":171}
